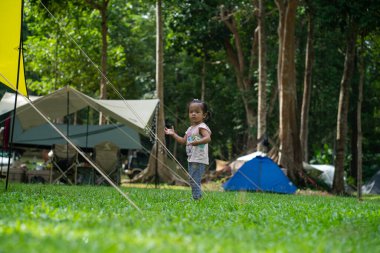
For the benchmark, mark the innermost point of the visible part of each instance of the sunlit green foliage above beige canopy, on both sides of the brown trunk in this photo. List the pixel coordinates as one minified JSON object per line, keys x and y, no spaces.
{"x":65,"y":50}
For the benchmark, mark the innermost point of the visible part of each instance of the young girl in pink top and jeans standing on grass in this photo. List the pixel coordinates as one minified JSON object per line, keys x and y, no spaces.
{"x":196,"y":138}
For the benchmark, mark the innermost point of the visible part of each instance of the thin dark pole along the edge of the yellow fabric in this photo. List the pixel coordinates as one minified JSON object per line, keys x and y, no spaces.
{"x":15,"y":104}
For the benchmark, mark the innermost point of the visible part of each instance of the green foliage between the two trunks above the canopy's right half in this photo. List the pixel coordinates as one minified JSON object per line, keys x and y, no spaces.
{"x":132,"y":48}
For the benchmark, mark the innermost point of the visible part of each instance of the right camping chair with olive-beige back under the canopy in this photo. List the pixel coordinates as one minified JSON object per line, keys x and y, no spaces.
{"x":107,"y":157}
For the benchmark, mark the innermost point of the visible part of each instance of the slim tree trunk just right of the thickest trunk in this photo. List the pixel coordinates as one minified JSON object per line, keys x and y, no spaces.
{"x":309,"y":58}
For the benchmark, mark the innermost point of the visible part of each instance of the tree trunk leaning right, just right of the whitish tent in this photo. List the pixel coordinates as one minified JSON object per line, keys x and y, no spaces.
{"x":338,"y":183}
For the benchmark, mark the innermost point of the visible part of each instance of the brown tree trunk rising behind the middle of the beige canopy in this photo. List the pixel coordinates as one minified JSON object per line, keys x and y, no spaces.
{"x":102,"y":7}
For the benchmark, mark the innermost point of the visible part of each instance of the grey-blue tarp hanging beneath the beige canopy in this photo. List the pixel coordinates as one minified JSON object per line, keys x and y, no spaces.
{"x":82,"y":136}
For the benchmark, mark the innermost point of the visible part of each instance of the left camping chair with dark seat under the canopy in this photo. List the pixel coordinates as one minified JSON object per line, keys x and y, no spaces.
{"x":65,"y":164}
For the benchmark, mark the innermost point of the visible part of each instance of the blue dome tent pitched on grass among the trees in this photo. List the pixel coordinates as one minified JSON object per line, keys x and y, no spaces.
{"x":260,"y":174}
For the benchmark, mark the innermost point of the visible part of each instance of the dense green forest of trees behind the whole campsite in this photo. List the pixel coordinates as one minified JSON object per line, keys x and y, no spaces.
{"x":213,"y":51}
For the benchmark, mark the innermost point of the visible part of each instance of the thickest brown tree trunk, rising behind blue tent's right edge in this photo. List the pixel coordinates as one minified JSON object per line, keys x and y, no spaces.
{"x":290,"y":147}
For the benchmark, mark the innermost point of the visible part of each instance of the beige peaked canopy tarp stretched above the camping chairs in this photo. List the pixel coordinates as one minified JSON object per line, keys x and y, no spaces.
{"x":136,"y":114}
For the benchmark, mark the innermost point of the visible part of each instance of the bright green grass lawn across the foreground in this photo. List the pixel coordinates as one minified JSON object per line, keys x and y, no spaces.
{"x":56,"y":218}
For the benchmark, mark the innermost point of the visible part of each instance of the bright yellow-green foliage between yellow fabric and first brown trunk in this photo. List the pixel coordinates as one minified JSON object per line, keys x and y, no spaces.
{"x":52,"y":57}
